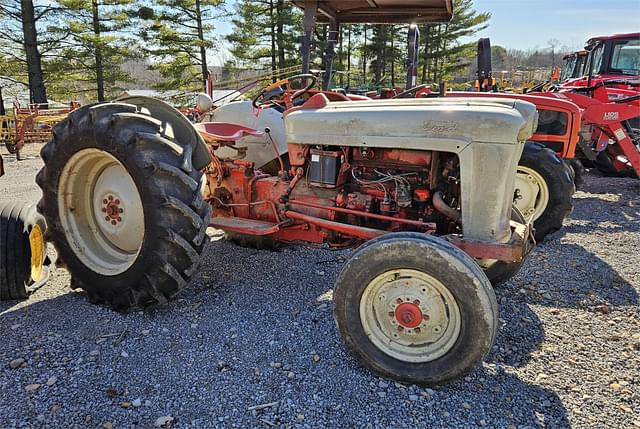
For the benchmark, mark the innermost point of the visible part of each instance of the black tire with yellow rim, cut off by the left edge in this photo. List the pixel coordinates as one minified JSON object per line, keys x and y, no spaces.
{"x":17,"y":220}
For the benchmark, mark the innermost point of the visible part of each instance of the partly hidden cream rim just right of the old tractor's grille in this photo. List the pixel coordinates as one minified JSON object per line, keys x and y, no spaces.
{"x":532,"y":193}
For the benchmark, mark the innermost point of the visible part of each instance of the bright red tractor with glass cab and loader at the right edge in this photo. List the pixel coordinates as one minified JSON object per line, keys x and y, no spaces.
{"x":609,"y":98}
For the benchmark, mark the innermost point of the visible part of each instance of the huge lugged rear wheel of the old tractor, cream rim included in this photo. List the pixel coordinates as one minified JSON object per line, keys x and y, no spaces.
{"x":123,"y":205}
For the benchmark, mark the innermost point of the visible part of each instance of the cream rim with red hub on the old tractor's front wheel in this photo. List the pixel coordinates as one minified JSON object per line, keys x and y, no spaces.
{"x":410,"y":315}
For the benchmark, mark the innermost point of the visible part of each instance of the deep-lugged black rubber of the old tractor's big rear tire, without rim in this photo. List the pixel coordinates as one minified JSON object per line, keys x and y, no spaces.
{"x":175,"y":214}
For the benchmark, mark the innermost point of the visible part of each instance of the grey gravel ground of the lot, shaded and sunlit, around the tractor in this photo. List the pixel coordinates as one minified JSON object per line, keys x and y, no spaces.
{"x":252,"y":342}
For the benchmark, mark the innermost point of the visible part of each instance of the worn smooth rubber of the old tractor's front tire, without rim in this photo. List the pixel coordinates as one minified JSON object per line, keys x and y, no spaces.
{"x":451,"y":266}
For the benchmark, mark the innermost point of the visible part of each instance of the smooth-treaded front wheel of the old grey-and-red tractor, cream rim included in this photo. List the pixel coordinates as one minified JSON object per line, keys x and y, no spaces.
{"x":415,"y":308}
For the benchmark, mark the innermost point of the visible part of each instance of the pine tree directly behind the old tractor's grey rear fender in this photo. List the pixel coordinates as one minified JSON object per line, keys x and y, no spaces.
{"x":179,"y":33}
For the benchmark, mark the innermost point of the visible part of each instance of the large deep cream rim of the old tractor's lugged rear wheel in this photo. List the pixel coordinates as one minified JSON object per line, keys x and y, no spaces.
{"x":101,"y":211}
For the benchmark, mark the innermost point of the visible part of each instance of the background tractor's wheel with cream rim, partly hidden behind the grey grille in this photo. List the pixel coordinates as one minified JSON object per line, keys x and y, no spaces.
{"x":544,"y":189}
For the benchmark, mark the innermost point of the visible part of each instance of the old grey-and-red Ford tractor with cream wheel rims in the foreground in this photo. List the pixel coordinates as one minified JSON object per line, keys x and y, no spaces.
{"x":423,"y":189}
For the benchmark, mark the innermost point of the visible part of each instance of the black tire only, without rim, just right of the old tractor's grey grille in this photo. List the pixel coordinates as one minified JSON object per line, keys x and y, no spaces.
{"x":561,"y":187}
